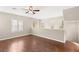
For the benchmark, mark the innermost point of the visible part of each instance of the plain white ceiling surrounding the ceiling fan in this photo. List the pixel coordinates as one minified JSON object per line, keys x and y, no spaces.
{"x":44,"y":13}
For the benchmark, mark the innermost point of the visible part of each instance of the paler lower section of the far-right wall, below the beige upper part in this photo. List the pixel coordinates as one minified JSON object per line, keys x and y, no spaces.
{"x":71,"y":30}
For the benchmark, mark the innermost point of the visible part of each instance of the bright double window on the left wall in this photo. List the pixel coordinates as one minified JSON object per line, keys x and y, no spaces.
{"x":17,"y":25}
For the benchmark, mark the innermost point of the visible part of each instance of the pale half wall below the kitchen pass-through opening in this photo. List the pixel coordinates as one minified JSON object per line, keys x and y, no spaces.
{"x":57,"y":35}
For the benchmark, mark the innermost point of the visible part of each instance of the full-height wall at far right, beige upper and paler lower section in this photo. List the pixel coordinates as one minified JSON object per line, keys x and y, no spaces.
{"x":71,"y":18}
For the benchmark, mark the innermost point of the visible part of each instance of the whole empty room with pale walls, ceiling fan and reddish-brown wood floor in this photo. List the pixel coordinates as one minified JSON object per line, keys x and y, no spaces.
{"x":39,"y":28}
